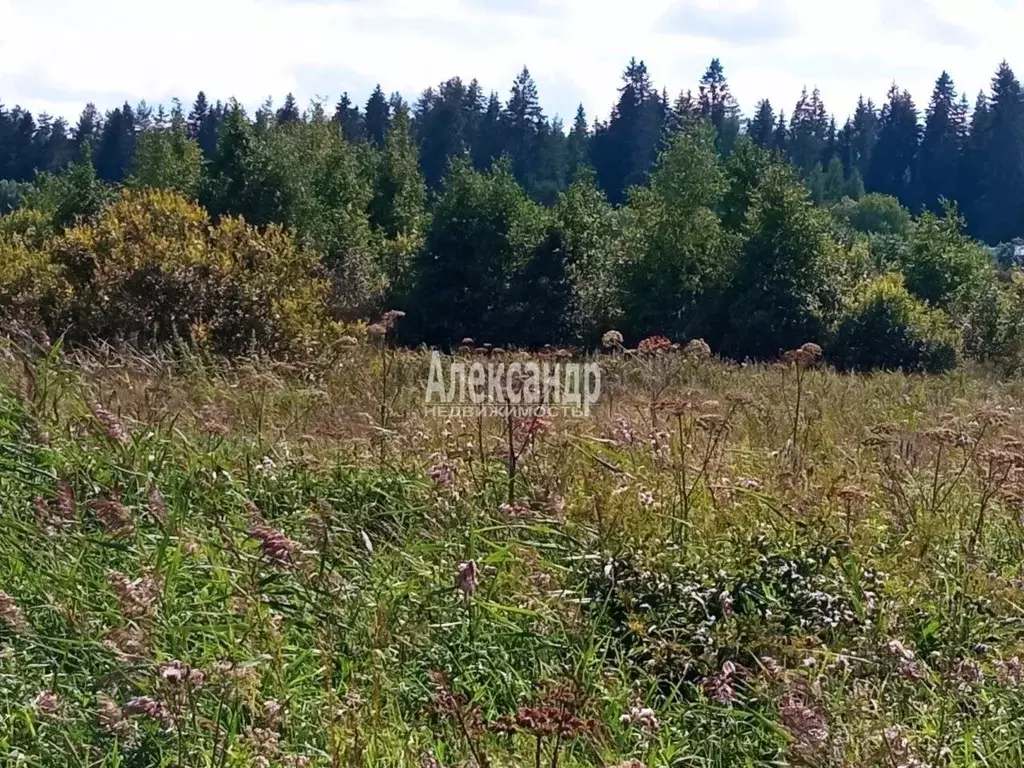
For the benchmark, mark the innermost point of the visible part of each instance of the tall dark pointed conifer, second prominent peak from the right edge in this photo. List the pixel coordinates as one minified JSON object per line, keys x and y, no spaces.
{"x":941,"y":147}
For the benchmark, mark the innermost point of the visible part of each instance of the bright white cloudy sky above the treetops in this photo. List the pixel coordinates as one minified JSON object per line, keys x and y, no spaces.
{"x":56,"y":56}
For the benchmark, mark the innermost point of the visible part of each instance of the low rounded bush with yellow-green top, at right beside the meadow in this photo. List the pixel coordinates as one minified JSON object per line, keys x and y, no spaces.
{"x":887,"y":328}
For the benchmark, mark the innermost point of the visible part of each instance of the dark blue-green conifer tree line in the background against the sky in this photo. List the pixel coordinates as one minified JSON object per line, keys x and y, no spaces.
{"x":973,"y":155}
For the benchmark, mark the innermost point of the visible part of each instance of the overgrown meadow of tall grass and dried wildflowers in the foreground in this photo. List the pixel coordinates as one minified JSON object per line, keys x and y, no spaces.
{"x":258,"y":565}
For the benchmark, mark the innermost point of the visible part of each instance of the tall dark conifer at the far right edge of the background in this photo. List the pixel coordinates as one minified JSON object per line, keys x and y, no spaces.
{"x":1003,"y":195}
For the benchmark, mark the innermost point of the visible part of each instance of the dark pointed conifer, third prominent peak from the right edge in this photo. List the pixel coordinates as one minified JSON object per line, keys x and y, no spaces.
{"x":894,"y":158}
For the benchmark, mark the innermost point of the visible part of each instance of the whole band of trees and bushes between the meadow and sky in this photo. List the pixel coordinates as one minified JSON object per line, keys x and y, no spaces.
{"x":889,"y":241}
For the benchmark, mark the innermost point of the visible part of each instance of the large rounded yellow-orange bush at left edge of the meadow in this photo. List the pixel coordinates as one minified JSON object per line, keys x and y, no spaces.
{"x":152,"y":270}
